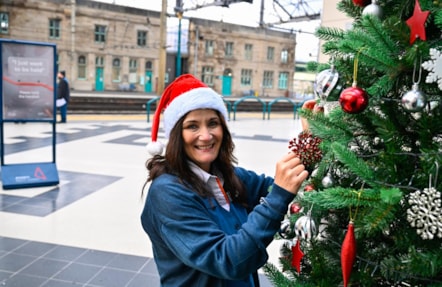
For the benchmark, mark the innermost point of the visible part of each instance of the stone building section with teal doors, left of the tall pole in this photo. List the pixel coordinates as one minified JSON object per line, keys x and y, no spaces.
{"x":99,"y":45}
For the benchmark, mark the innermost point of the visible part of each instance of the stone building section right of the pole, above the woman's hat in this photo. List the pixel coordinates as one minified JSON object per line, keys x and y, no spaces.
{"x":240,"y":60}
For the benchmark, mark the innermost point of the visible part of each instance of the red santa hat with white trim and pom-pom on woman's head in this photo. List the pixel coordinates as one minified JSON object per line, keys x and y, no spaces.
{"x":183,"y":95}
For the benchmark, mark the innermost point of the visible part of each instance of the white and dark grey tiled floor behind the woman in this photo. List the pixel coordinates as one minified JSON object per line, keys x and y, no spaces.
{"x":85,"y":231}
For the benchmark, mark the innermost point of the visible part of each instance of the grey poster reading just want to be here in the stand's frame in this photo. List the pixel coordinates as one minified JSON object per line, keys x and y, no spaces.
{"x":27,"y":81}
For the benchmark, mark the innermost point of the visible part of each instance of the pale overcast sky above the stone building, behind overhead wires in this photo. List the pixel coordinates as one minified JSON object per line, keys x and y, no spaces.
{"x":243,"y":13}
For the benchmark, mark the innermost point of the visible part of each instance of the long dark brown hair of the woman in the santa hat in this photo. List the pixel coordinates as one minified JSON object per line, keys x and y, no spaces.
{"x":175,"y":162}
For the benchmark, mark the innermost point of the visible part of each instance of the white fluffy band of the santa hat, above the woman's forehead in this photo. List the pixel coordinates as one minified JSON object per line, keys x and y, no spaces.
{"x":198,"y":98}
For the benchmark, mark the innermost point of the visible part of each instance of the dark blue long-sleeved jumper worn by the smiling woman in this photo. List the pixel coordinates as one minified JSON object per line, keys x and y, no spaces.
{"x":198,"y":243}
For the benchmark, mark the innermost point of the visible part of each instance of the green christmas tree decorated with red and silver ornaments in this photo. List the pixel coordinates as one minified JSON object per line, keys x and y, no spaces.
{"x":370,"y":213}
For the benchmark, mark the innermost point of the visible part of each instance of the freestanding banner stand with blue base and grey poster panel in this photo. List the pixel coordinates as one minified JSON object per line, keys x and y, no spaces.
{"x":28,"y":93}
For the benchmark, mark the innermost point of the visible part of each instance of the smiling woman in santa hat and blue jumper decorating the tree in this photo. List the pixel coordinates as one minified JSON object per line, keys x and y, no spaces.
{"x":209,"y":221}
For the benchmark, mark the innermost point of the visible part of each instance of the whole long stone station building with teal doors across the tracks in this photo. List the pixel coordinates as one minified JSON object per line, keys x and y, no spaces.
{"x":106,"y":47}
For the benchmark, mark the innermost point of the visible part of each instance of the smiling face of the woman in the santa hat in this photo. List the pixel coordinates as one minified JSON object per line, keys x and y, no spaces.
{"x":202,"y":135}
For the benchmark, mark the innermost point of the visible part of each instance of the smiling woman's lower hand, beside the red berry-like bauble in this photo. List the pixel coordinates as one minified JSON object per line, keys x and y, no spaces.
{"x":290,"y":173}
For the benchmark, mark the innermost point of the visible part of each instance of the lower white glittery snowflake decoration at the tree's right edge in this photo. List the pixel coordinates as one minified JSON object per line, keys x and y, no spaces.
{"x":425,"y":213}
